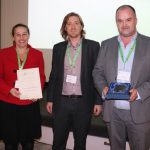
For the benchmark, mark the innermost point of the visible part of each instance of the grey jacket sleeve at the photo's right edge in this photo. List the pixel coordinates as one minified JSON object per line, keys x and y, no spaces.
{"x":142,"y":83}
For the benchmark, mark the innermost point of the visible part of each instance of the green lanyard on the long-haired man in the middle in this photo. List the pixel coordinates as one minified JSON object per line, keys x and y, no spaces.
{"x":73,"y":62}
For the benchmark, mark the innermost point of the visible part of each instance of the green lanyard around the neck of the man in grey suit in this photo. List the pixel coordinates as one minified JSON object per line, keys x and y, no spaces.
{"x":129,"y":53}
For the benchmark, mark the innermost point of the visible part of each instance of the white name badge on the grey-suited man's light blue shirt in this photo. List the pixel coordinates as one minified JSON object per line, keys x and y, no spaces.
{"x":123,"y":76}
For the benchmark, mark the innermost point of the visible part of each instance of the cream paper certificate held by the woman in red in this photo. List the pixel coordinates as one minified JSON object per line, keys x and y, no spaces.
{"x":29,"y":84}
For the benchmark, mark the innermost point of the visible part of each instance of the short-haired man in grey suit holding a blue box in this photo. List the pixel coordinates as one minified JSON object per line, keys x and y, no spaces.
{"x":126,"y":58}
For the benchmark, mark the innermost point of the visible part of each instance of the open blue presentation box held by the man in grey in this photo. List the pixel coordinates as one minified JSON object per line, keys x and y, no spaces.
{"x":118,"y":91}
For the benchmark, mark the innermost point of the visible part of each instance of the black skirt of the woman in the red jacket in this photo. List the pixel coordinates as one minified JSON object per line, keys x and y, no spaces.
{"x":19,"y":123}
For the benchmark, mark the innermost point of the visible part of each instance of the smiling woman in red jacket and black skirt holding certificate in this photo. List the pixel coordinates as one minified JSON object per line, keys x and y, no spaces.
{"x":20,"y":119}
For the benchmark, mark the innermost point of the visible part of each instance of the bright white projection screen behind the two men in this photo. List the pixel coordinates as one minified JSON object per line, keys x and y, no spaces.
{"x":45,"y":19}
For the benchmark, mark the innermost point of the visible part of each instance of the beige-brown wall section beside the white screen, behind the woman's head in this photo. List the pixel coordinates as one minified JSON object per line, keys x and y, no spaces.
{"x":12,"y":12}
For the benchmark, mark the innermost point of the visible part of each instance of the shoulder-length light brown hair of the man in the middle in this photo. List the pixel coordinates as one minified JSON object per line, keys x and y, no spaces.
{"x":63,"y":27}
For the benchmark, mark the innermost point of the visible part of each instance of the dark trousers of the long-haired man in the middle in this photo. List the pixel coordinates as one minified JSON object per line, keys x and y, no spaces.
{"x":71,"y":114}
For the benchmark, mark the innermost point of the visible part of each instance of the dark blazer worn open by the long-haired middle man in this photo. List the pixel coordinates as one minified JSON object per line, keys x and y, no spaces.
{"x":90,"y":51}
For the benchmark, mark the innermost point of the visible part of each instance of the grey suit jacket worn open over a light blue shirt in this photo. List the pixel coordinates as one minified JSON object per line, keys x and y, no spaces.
{"x":105,"y":72}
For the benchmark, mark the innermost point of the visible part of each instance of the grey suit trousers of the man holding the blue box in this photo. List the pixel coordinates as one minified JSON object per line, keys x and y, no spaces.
{"x":122,"y":126}
